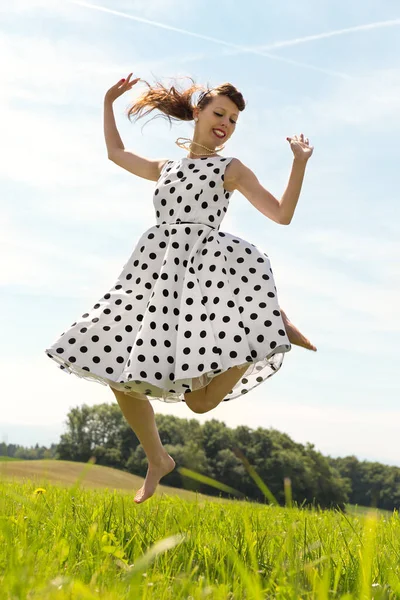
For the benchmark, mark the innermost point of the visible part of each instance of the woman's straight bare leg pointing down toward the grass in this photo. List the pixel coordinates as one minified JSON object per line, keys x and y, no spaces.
{"x":139,"y":413}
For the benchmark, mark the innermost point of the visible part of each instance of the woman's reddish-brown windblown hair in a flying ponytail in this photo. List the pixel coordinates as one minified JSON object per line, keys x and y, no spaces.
{"x":176,"y":104}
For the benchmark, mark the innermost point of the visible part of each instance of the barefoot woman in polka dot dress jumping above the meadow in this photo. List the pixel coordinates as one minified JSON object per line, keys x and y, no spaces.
{"x":194,"y":314}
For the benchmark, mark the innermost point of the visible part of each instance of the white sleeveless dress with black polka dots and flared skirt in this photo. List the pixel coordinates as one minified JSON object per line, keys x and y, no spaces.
{"x":190,"y":303}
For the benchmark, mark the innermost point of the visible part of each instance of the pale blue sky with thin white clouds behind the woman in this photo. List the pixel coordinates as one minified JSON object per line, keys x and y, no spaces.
{"x":70,"y":218}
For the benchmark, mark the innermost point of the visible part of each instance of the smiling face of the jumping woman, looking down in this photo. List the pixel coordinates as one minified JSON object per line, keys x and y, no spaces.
{"x":217,"y":121}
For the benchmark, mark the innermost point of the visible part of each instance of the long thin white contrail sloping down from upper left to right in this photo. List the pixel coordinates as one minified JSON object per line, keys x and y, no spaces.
{"x":241,"y":49}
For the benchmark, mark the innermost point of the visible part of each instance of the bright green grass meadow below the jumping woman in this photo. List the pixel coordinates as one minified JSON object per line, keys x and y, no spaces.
{"x":75,"y":542}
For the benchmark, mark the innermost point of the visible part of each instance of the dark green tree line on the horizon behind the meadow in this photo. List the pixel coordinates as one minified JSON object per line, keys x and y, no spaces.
{"x":216,"y":451}
